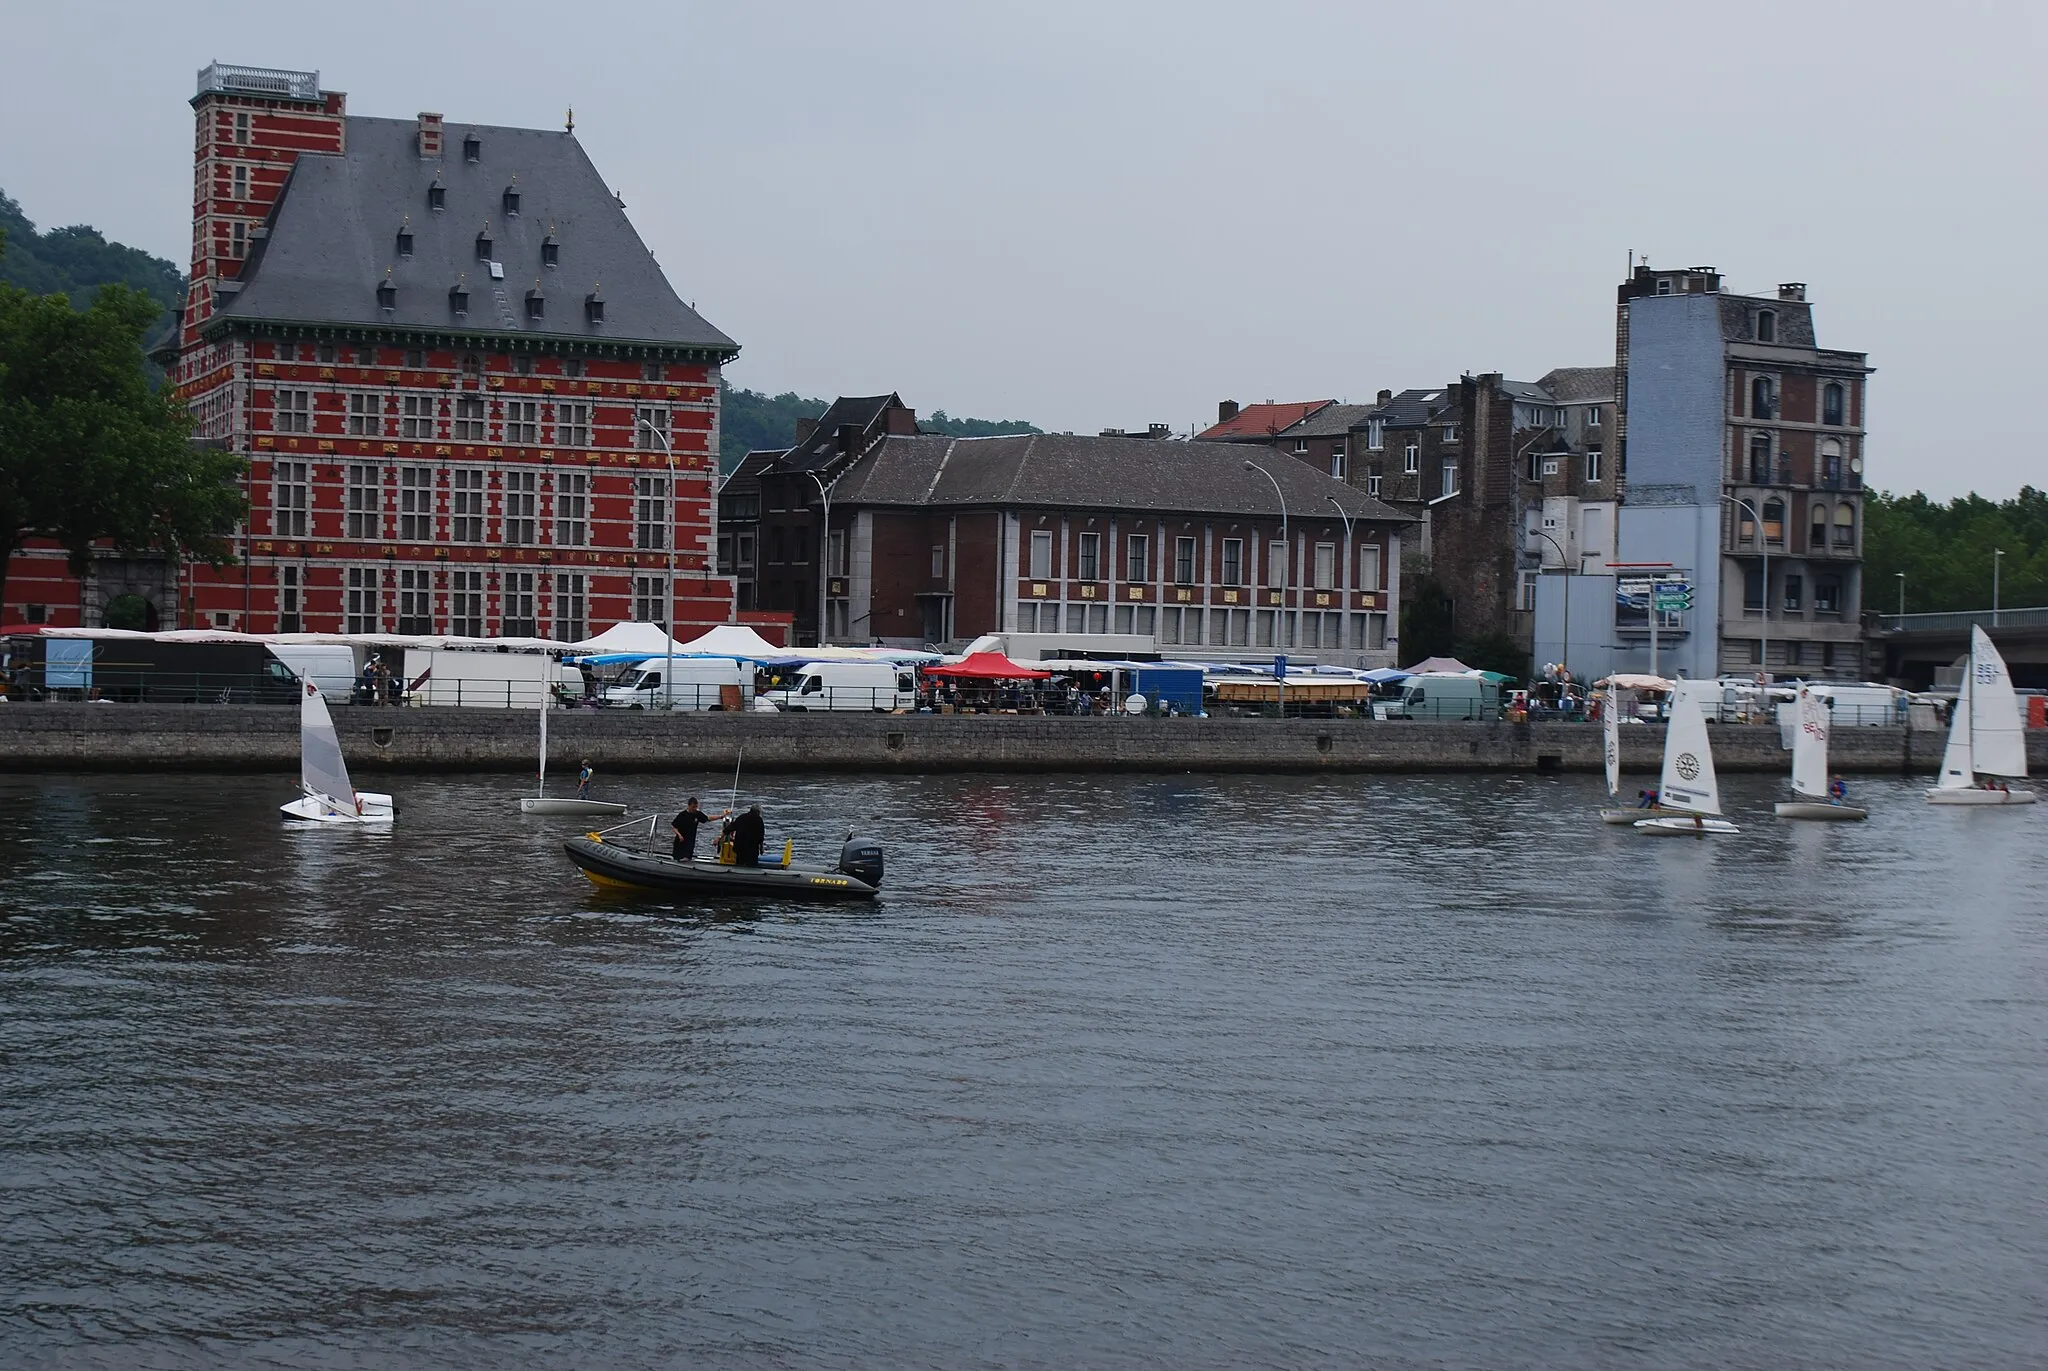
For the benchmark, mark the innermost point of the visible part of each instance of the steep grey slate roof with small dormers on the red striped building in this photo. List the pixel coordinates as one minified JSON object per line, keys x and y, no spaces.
{"x":333,"y":237}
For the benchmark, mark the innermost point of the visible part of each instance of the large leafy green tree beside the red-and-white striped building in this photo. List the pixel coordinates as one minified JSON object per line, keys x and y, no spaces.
{"x":91,"y":452}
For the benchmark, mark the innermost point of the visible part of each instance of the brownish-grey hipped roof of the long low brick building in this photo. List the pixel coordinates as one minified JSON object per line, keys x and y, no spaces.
{"x":1107,"y":474}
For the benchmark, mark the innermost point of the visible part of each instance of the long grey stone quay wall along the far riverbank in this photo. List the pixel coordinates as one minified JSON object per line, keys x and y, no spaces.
{"x":75,"y":737}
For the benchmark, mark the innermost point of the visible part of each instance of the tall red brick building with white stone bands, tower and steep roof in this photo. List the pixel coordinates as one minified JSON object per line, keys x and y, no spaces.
{"x":468,"y":397}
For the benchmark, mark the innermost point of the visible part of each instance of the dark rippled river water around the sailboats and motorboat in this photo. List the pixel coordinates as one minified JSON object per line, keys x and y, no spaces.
{"x":1154,"y":1071}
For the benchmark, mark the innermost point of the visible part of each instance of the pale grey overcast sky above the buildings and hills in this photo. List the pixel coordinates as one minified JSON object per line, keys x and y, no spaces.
{"x":1121,"y":214}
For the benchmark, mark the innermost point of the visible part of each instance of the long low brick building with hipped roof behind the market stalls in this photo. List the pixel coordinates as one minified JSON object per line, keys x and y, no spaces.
{"x":945,"y":540}
